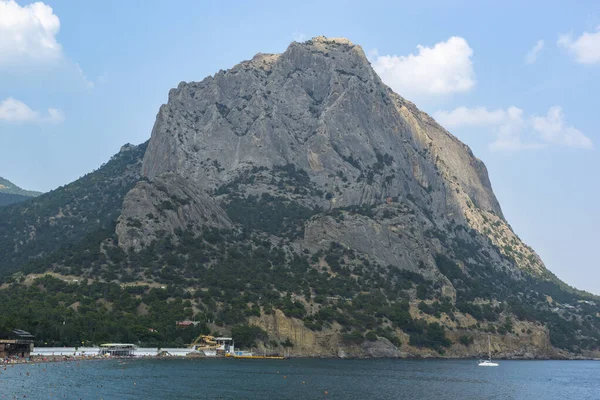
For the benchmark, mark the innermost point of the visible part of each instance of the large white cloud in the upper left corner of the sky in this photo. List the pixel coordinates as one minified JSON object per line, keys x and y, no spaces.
{"x":28,"y":34}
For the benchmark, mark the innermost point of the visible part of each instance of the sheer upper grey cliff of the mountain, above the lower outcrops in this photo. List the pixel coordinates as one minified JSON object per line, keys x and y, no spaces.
{"x":321,"y":107}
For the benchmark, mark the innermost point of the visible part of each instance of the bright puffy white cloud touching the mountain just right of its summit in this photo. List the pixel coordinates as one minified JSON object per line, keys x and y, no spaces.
{"x":442,"y":69}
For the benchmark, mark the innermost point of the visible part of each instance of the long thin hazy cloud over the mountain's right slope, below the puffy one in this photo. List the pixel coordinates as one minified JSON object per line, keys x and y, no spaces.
{"x":513,"y":131}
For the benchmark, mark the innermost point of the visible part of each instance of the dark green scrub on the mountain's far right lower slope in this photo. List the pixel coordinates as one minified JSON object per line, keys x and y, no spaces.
{"x":574,"y":323}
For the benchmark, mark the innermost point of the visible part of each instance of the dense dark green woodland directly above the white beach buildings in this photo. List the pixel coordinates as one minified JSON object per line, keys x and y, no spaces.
{"x":61,"y":314}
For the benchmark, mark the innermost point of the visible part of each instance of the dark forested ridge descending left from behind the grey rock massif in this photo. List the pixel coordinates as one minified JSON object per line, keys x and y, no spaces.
{"x":65,"y":215}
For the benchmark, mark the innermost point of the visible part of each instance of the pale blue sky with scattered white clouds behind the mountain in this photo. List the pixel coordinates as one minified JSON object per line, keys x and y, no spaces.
{"x":516,"y":81}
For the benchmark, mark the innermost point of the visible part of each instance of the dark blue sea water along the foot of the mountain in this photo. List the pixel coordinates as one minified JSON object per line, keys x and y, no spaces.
{"x":302,"y":379}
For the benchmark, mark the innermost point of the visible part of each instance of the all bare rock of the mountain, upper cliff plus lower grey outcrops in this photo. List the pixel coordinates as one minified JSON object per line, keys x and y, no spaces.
{"x":321,"y":107}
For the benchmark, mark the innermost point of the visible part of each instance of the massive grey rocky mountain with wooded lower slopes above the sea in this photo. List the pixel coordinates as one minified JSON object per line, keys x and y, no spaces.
{"x":294,"y":201}
